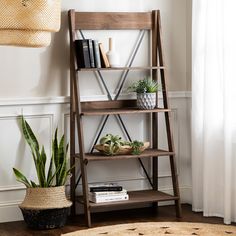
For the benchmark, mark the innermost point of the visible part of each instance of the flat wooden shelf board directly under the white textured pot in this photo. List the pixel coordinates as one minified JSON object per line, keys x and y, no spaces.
{"x":115,"y":111}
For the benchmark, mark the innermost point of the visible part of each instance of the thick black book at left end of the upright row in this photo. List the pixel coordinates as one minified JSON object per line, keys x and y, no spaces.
{"x":82,"y":53}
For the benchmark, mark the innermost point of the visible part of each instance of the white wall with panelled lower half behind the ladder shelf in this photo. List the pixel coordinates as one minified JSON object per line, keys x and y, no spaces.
{"x":35,"y":82}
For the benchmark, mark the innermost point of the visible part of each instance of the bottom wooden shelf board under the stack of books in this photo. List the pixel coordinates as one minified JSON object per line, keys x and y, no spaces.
{"x":135,"y":197}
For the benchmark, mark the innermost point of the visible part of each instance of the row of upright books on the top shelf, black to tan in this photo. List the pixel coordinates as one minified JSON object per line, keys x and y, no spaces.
{"x":90,"y":54}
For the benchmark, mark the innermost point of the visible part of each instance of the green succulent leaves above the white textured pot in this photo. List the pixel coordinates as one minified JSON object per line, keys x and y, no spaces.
{"x":146,"y":85}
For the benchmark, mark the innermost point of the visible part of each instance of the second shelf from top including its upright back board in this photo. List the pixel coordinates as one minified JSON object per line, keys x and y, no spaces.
{"x":94,"y":108}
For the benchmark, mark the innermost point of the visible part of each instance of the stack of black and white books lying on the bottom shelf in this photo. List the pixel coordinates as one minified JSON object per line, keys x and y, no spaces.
{"x":111,"y":192}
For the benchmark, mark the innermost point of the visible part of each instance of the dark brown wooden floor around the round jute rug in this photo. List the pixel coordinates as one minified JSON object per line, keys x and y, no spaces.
{"x":166,"y":213}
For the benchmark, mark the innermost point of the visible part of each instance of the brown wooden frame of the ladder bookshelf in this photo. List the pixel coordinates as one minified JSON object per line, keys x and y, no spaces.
{"x":120,"y":21}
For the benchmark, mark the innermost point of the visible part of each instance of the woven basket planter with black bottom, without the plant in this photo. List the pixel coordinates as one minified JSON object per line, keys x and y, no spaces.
{"x":45,"y":208}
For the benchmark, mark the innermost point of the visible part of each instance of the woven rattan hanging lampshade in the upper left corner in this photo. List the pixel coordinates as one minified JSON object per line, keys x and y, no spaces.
{"x":29,"y":23}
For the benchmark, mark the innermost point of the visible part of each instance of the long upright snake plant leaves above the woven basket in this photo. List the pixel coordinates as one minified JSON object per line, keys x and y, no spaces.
{"x":57,"y":173}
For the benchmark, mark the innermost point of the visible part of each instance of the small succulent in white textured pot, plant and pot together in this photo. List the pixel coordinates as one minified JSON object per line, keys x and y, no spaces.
{"x":146,"y":90}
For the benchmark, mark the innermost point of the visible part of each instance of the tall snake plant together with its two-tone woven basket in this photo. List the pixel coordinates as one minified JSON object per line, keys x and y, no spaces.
{"x":45,"y":204}
